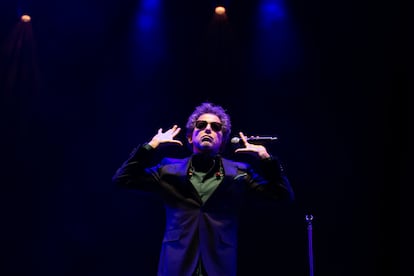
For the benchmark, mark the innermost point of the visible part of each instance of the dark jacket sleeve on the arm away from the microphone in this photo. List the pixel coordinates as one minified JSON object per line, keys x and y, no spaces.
{"x":134,"y":172}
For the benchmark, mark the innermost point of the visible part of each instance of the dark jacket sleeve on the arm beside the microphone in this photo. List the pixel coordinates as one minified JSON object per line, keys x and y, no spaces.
{"x":270,"y":179}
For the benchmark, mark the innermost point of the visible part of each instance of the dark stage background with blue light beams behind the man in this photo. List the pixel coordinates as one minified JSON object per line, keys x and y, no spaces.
{"x":86,"y":81}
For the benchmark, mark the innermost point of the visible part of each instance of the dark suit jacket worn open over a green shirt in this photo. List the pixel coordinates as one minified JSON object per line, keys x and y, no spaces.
{"x":194,"y":229}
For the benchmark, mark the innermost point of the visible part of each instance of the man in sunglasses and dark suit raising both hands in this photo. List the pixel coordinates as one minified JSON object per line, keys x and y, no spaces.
{"x":203,"y":193}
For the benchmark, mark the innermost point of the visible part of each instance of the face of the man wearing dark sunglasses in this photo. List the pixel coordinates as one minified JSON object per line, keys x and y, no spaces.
{"x":207,"y":136}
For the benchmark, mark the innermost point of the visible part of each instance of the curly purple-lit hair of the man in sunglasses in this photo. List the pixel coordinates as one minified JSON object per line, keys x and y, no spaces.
{"x":211,"y":108}
